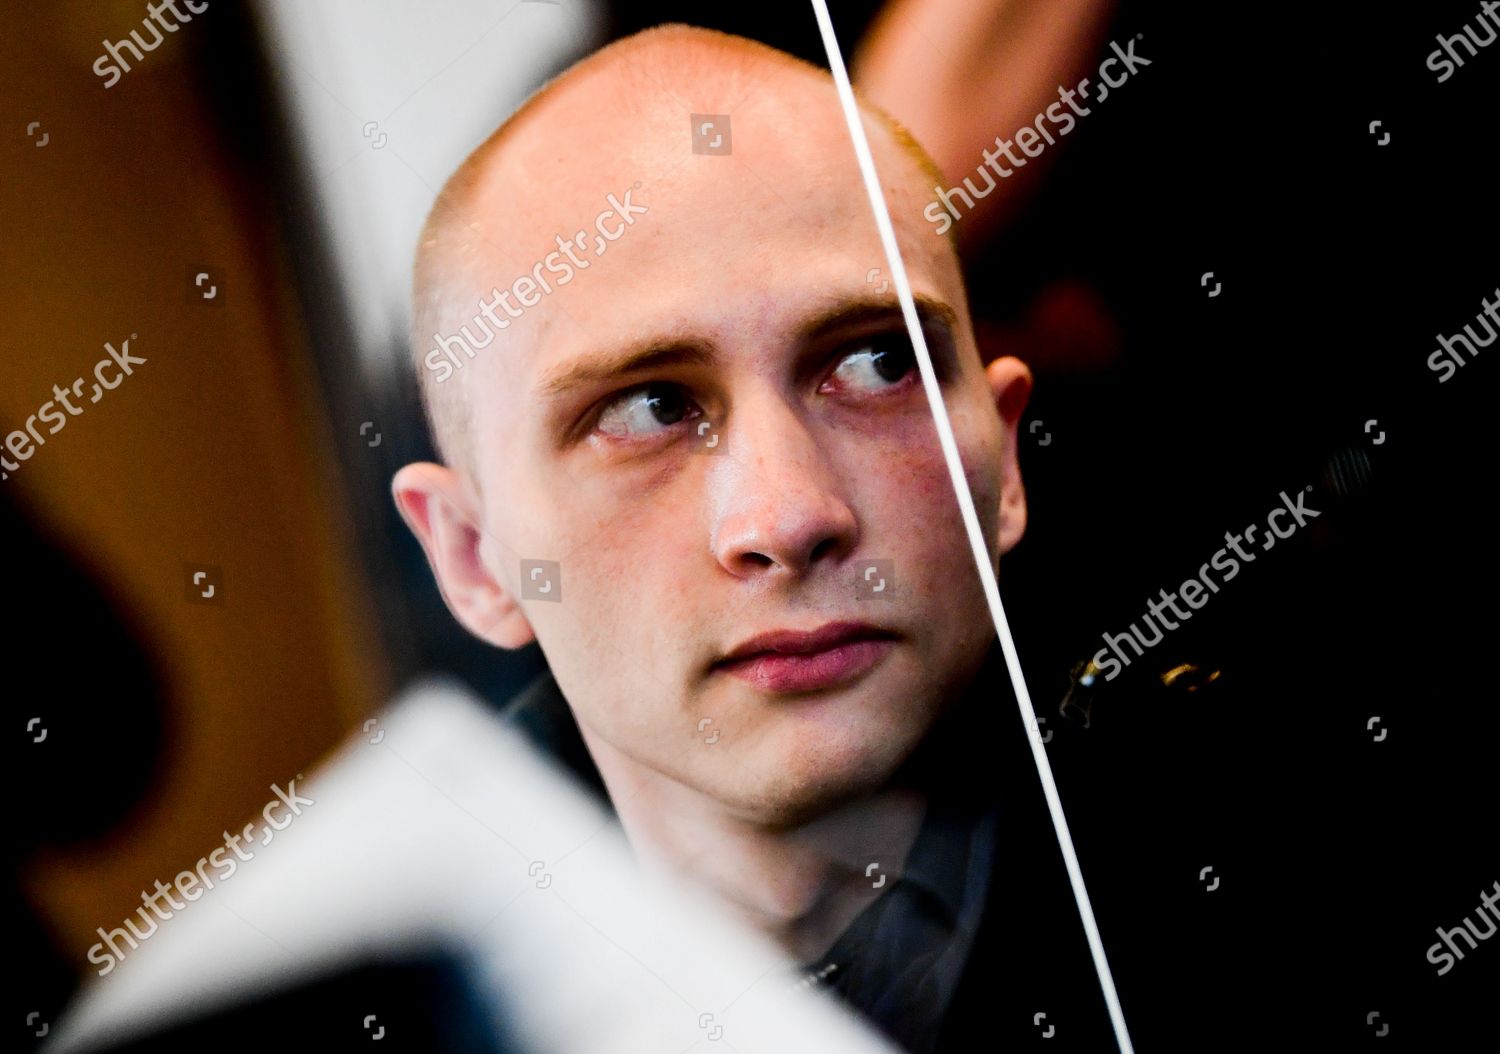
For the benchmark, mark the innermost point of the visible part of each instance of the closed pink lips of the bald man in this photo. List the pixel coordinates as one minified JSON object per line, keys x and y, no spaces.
{"x":794,"y":660}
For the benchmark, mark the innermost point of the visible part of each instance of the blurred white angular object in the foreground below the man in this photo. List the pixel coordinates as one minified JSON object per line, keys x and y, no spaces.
{"x":440,"y":824}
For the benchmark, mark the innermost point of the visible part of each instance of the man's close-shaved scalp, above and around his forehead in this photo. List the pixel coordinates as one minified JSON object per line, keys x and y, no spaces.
{"x":517,"y":223}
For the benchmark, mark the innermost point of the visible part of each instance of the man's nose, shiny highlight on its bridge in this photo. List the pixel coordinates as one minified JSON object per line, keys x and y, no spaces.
{"x":781,"y":509}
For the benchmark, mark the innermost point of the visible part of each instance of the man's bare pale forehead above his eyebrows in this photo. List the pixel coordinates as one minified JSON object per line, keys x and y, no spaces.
{"x":733,"y":251}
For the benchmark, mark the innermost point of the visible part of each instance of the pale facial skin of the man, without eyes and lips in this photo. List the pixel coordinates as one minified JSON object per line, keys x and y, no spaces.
{"x":671,"y":557}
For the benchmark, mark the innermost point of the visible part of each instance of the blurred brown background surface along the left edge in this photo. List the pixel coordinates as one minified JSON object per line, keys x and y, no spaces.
{"x":214,"y":452}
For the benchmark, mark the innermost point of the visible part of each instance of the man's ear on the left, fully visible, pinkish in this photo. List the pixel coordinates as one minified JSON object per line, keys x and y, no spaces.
{"x":443,"y":514}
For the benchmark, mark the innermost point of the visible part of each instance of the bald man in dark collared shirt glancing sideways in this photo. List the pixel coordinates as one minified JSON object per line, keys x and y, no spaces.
{"x":689,"y":454}
